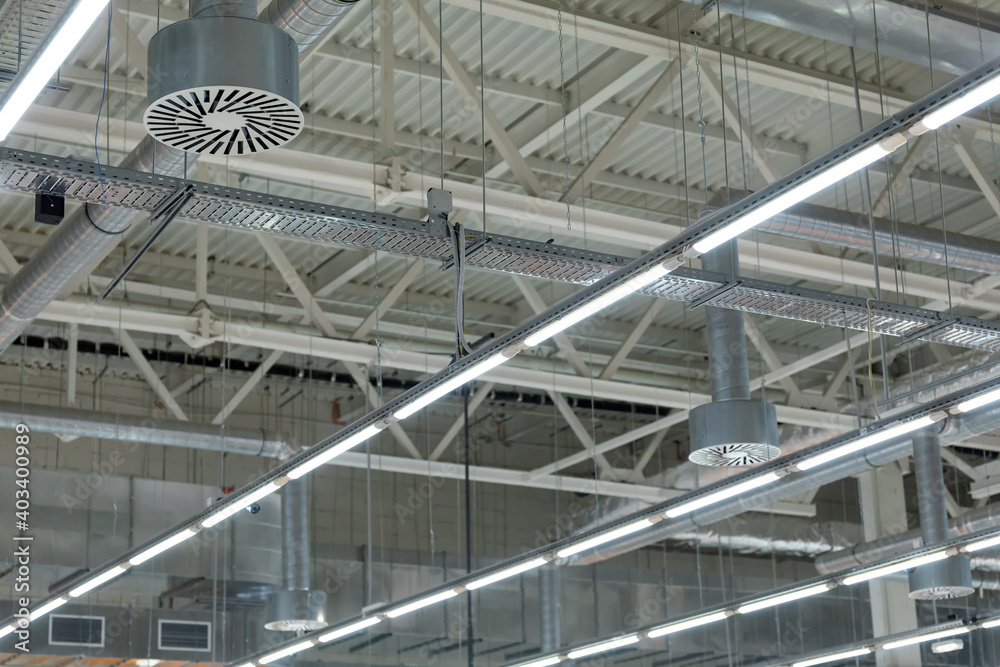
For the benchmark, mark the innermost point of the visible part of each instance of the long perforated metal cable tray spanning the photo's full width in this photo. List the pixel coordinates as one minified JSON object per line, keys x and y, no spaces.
{"x":26,"y":171}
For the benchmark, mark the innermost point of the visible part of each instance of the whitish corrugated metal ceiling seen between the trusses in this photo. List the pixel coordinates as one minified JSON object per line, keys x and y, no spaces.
{"x":520,"y":53}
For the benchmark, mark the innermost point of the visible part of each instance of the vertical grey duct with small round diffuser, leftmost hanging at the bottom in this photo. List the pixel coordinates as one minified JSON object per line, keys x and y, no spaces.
{"x":296,"y":608}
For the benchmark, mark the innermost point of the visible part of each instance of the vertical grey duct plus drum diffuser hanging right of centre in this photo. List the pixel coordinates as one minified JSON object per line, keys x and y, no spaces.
{"x":732,"y":430}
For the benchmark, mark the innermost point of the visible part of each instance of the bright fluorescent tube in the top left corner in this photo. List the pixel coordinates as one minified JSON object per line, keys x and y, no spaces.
{"x":43,"y":67}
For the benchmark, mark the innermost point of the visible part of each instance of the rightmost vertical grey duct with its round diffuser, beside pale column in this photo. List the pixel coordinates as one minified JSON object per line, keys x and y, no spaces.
{"x":952,"y":577}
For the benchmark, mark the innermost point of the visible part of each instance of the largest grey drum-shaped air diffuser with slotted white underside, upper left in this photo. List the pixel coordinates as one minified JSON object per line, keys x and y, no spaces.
{"x":223,"y":85}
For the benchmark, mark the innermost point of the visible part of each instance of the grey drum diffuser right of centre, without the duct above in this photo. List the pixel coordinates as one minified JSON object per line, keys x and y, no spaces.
{"x":733,"y":434}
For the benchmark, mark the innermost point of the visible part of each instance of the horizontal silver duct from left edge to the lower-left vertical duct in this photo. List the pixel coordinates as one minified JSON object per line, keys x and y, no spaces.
{"x":129,"y":428}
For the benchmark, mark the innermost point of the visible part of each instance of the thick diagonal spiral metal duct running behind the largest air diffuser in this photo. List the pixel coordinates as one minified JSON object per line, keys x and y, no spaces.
{"x":91,"y":231}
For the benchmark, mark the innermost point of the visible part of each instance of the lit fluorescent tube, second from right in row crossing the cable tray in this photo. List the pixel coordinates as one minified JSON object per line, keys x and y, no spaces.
{"x":809,"y":187}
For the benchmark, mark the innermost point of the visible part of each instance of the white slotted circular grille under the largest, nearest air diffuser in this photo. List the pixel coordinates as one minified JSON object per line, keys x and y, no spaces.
{"x":223,"y":120}
